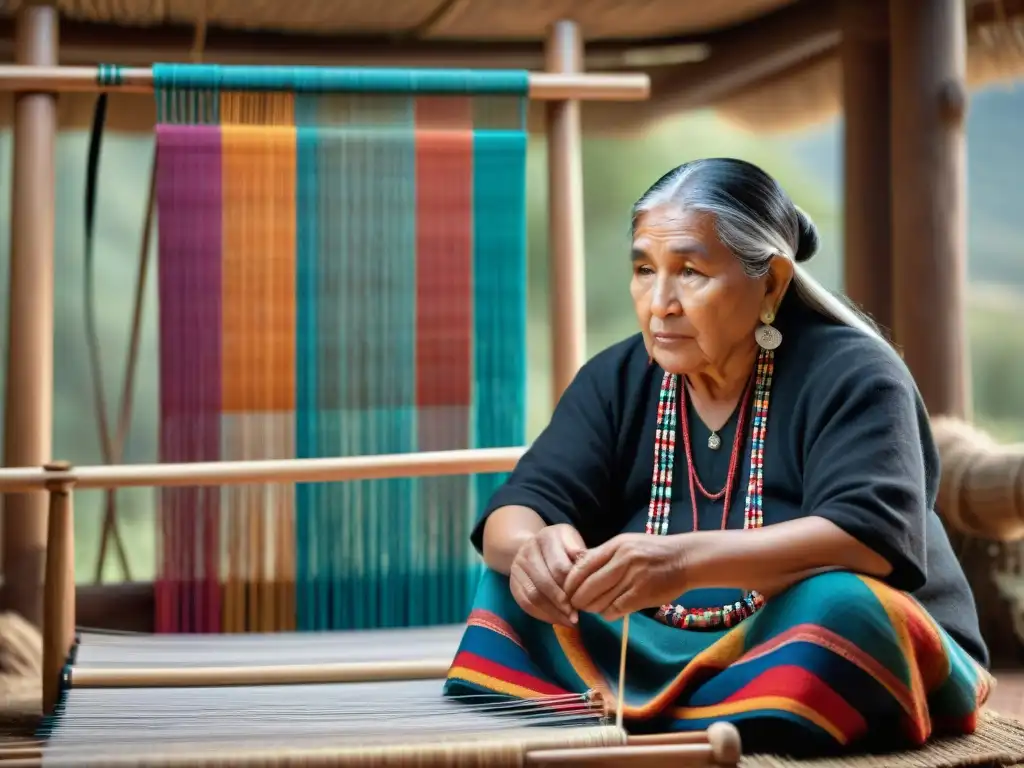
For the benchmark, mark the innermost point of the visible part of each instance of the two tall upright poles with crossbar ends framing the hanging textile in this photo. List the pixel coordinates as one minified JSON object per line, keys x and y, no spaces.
{"x":37,"y":79}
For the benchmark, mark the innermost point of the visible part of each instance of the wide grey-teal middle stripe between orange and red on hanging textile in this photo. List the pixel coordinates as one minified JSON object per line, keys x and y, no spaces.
{"x":358,"y":230}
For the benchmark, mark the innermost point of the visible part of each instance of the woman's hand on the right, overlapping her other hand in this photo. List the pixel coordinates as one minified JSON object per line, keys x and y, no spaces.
{"x":628,"y":574}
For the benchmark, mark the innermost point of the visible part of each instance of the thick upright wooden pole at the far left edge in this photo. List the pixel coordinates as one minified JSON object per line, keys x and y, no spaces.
{"x":29,"y":397}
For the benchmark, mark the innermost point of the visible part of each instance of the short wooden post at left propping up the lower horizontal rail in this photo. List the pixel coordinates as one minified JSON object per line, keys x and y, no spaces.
{"x":59,"y":599}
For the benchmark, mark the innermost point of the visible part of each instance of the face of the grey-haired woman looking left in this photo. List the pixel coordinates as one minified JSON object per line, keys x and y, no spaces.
{"x":696,"y":305}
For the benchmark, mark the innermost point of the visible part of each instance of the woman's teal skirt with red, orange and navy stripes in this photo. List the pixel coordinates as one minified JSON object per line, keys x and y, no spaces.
{"x":829,"y":662}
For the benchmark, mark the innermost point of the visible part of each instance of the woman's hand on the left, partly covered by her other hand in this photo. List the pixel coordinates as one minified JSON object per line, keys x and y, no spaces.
{"x":539,"y":573}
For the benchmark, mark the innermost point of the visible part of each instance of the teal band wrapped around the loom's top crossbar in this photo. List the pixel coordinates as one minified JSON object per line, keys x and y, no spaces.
{"x":338,"y":80}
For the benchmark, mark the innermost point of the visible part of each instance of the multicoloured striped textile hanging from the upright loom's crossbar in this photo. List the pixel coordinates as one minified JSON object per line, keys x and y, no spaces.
{"x":343,"y":273}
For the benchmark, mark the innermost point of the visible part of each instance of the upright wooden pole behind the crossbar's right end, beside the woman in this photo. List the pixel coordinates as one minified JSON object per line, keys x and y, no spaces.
{"x":568,"y":287}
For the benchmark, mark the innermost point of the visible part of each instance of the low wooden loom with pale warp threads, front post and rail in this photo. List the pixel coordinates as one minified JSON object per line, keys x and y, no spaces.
{"x":346,"y":699}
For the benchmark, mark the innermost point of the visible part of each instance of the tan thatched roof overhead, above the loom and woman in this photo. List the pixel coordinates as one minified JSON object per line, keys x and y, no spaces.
{"x":770,"y":65}
